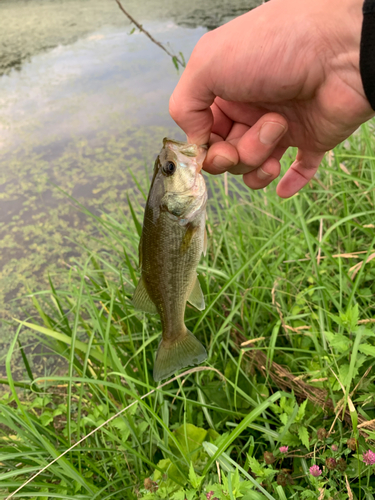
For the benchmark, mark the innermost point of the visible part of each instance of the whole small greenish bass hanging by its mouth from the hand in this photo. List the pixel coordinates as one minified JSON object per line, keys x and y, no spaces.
{"x":172,"y":241}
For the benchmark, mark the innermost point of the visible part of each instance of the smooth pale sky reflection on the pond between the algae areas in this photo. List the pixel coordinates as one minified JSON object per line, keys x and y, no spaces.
{"x":91,"y":84}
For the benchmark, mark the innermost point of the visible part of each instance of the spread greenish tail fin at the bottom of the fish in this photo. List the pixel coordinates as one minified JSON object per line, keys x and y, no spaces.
{"x":185,"y":351}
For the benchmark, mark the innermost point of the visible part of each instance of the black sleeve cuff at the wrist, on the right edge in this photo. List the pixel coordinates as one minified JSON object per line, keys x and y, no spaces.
{"x":367,"y":51}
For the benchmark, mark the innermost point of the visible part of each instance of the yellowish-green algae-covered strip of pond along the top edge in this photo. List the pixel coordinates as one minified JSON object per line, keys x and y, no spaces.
{"x":29,"y":27}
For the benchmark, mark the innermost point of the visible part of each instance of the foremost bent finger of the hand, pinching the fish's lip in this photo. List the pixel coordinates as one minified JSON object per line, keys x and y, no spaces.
{"x":189,"y":105}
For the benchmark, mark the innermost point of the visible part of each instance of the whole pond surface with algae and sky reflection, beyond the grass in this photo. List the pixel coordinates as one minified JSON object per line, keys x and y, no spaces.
{"x":82,"y":102}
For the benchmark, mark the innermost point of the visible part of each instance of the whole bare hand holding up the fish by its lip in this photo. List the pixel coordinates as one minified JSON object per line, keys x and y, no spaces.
{"x":284,"y":74}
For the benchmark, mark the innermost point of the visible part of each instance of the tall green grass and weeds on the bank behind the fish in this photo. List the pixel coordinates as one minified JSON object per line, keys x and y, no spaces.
{"x":277,"y":272}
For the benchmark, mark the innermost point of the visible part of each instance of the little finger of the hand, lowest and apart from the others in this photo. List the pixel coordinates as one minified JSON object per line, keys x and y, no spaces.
{"x":299,"y":173}
